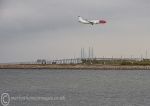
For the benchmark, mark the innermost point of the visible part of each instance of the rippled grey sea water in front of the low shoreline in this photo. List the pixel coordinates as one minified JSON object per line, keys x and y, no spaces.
{"x":44,"y":87}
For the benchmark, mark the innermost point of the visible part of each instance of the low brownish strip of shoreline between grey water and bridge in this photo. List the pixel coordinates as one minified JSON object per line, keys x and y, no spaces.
{"x":73,"y":66}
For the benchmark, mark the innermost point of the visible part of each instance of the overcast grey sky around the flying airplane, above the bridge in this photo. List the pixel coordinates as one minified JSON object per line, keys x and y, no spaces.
{"x":49,"y":29}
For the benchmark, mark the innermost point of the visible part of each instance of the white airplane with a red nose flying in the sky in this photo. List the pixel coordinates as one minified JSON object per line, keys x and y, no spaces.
{"x":92,"y":22}
